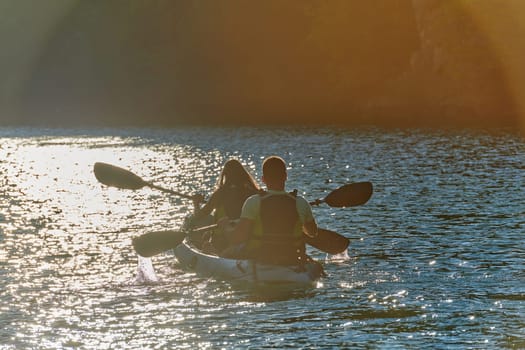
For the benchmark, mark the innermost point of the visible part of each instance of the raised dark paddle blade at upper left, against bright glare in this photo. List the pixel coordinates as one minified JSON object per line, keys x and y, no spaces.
{"x":114,"y":176}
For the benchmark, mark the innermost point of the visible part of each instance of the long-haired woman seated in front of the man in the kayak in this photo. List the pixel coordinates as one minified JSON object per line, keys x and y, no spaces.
{"x":234,"y":186}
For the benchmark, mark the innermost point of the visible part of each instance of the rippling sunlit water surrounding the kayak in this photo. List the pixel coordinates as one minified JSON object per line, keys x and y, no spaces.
{"x":436,"y":258}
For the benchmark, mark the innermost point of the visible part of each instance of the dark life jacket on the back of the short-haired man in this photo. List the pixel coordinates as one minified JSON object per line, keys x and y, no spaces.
{"x":278,"y":237}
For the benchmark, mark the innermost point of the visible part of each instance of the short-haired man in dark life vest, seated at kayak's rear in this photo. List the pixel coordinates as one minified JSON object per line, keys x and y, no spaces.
{"x":272,"y":223}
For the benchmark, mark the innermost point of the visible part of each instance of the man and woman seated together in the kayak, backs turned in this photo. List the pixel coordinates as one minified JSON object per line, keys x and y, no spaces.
{"x":270,"y":223}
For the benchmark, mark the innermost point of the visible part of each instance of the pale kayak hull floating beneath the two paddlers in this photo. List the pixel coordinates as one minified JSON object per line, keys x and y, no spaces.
{"x":189,"y":256}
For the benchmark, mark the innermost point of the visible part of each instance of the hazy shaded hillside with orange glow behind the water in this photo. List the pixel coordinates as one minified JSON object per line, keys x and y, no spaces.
{"x":392,"y":63}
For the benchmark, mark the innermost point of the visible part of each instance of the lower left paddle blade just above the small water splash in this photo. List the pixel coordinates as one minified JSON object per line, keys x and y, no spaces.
{"x":153,"y":243}
